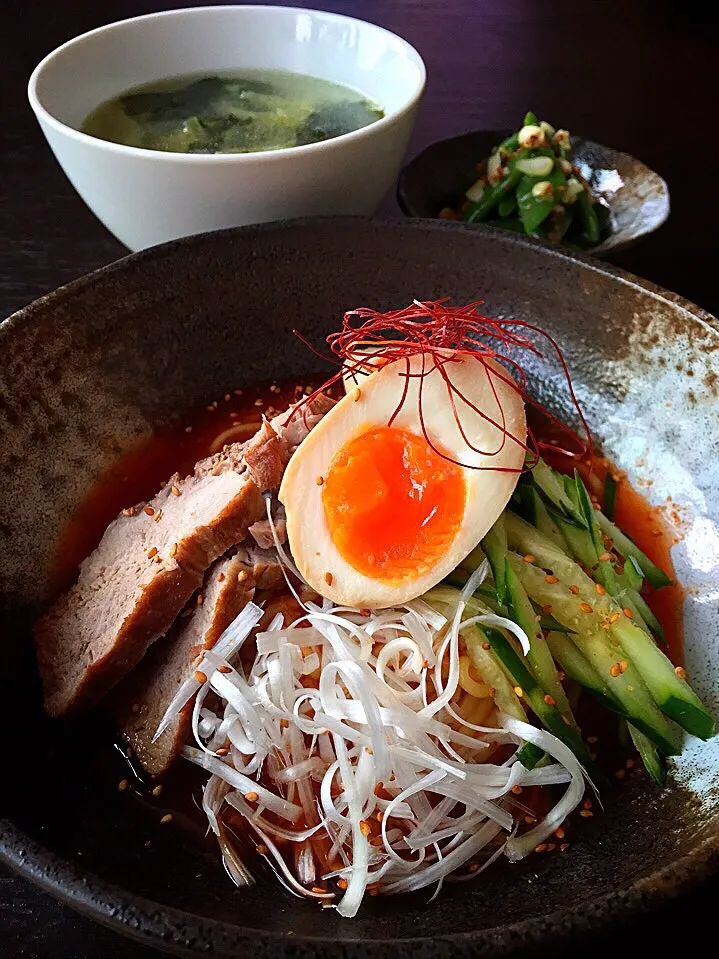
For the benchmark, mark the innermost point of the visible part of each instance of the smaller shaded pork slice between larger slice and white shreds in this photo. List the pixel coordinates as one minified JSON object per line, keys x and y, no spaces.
{"x":141,"y":701}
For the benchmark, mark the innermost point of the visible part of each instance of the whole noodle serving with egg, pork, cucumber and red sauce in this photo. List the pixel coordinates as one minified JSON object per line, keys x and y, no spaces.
{"x":381,"y":613}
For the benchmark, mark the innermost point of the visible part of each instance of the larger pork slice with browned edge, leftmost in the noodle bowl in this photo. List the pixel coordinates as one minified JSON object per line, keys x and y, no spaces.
{"x":152,"y":558}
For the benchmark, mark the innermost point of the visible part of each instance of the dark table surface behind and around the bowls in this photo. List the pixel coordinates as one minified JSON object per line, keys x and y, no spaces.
{"x":639,"y":75}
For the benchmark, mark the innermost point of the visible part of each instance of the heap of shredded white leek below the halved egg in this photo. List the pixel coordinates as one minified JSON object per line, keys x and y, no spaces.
{"x":345,"y":736}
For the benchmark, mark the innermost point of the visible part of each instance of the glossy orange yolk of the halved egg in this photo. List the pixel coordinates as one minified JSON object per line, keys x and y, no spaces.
{"x":392,"y":504}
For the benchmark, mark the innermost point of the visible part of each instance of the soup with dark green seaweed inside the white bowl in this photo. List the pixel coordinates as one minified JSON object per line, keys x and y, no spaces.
{"x":238,"y":112}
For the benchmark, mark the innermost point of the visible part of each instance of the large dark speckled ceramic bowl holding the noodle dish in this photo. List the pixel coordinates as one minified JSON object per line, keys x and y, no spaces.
{"x":99,"y":362}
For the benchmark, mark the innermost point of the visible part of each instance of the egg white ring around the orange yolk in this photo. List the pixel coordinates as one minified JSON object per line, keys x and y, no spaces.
{"x":371,"y":405}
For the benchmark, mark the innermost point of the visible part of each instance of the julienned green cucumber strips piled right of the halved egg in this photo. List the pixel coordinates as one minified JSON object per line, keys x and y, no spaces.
{"x":581,"y":609}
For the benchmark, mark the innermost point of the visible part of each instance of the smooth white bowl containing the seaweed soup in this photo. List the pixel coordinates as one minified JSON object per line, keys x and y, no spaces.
{"x":146,"y":197}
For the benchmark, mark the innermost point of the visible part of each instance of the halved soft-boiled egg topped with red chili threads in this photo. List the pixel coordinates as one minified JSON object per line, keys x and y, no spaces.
{"x":403,"y":477}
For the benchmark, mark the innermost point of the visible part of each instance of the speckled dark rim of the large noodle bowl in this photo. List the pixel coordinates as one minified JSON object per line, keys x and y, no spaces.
{"x":182,"y":933}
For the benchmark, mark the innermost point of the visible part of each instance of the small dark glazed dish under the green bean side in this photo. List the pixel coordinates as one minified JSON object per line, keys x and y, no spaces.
{"x":638,"y":198}
